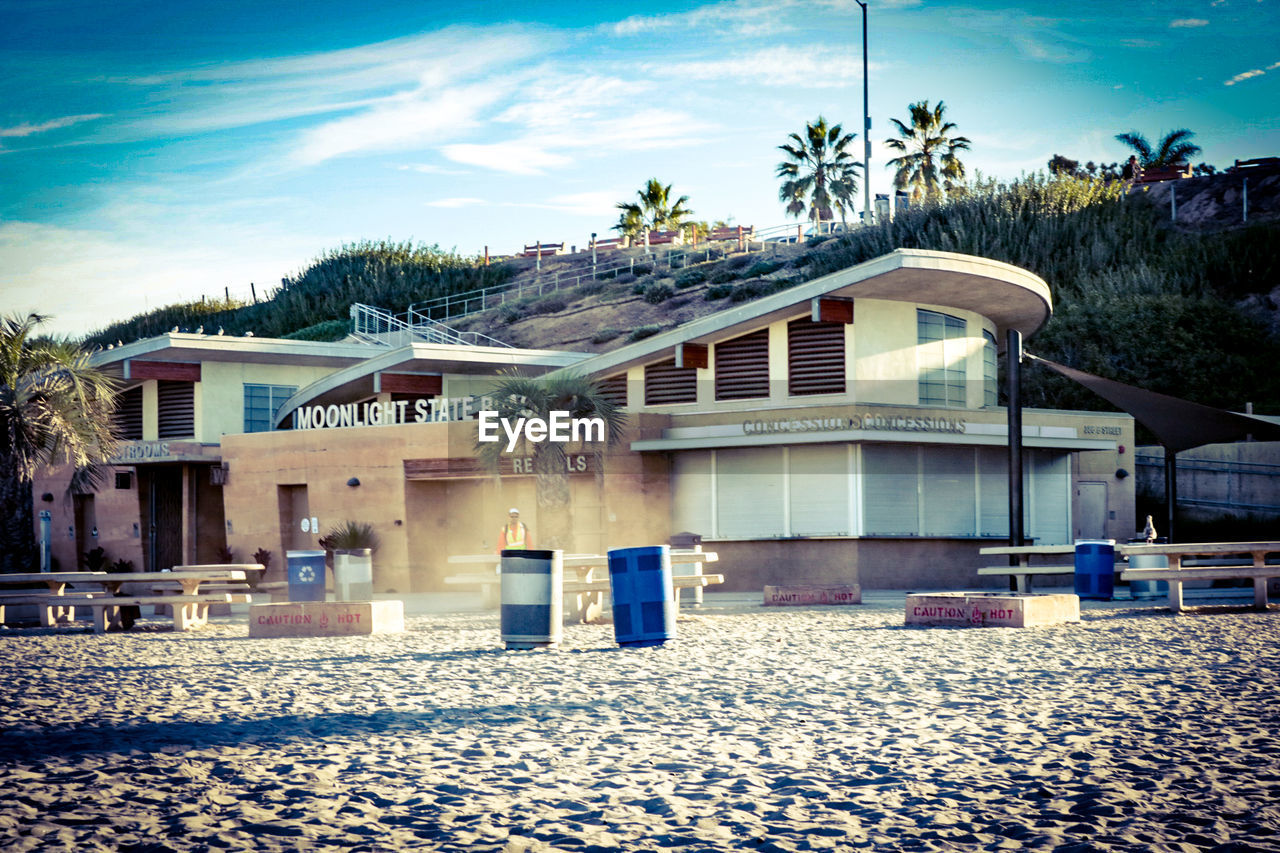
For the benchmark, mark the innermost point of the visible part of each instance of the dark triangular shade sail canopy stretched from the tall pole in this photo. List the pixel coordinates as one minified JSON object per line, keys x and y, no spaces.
{"x":1178,"y":425}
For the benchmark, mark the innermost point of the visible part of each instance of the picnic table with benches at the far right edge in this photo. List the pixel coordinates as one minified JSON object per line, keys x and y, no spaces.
{"x":1254,"y":568}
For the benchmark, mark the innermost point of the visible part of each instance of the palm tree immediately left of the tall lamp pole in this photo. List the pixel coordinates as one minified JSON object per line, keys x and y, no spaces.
{"x":820,"y":171}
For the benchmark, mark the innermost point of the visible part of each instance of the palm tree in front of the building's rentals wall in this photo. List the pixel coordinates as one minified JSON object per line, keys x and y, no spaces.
{"x":538,"y":398}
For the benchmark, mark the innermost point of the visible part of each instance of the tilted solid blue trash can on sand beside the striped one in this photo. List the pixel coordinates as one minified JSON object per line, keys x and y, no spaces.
{"x":644,"y":605}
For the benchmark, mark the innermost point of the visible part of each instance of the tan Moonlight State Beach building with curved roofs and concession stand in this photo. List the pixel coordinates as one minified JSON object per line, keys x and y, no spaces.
{"x":843,"y":431}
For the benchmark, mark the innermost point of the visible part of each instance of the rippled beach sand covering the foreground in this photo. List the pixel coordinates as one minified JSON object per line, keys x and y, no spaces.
{"x":770,"y":729}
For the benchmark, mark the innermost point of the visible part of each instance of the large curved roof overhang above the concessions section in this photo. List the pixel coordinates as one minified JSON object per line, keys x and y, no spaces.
{"x":1009,"y":297}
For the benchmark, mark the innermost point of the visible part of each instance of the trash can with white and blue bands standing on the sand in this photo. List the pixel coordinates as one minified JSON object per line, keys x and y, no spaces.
{"x":533,"y":604}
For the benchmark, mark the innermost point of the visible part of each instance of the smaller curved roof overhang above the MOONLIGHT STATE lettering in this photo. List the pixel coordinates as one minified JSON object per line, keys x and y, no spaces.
{"x":360,"y":381}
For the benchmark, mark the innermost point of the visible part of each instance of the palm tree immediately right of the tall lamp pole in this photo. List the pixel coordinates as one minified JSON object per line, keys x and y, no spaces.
{"x":929,"y":153}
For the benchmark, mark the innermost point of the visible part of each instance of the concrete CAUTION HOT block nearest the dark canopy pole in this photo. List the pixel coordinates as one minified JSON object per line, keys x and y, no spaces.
{"x":993,"y":610}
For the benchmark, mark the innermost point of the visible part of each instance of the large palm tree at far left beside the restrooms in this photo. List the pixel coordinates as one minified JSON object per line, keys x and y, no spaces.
{"x":54,"y":409}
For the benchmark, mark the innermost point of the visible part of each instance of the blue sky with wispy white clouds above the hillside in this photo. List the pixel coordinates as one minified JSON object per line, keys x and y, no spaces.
{"x":156,"y":153}
